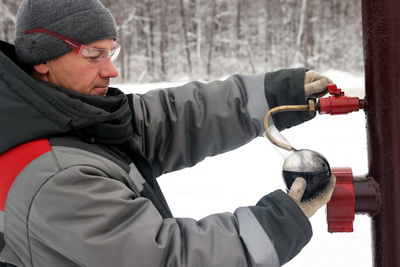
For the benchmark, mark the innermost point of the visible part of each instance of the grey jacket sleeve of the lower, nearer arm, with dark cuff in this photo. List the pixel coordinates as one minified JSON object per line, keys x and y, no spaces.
{"x":93,"y":220}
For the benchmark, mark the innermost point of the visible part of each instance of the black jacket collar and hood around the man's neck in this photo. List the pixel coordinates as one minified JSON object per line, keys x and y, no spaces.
{"x":32,"y":109}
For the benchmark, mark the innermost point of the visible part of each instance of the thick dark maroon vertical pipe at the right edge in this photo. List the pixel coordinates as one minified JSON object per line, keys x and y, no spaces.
{"x":381,"y":36}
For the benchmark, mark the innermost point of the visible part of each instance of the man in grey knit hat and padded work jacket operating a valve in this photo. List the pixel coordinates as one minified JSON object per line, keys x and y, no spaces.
{"x":78,"y":159}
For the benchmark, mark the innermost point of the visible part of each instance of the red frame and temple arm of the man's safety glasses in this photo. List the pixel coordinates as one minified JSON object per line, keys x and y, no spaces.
{"x":79,"y":48}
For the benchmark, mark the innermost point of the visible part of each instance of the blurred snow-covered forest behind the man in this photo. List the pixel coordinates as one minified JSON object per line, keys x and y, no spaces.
{"x":170,"y":40}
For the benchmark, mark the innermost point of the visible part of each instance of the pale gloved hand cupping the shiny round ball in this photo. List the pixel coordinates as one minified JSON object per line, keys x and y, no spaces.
{"x":310,"y":207}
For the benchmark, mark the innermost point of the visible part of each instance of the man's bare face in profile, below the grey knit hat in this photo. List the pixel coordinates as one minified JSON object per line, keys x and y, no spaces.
{"x":74,"y":72}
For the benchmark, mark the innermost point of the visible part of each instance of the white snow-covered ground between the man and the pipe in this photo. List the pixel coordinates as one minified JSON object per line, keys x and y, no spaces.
{"x":243,"y":176}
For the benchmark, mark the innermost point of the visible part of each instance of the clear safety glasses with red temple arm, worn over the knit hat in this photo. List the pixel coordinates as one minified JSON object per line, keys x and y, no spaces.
{"x":94,"y":56}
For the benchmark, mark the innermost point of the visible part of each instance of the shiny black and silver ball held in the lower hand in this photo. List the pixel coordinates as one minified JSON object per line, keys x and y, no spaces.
{"x":310,"y":165}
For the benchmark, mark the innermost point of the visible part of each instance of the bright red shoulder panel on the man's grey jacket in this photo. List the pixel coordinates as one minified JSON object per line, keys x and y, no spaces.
{"x":15,"y":160}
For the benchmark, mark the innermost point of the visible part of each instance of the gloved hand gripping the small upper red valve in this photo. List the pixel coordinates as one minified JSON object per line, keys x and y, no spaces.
{"x":315,"y":84}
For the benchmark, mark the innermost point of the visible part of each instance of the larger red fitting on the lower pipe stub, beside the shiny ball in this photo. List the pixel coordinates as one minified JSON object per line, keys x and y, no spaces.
{"x":342,"y":206}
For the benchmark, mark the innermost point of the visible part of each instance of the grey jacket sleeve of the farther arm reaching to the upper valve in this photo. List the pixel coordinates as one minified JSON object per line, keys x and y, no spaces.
{"x":178,"y":127}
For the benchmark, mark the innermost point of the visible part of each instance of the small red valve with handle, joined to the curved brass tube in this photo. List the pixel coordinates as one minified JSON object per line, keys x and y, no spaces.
{"x":338,"y":103}
